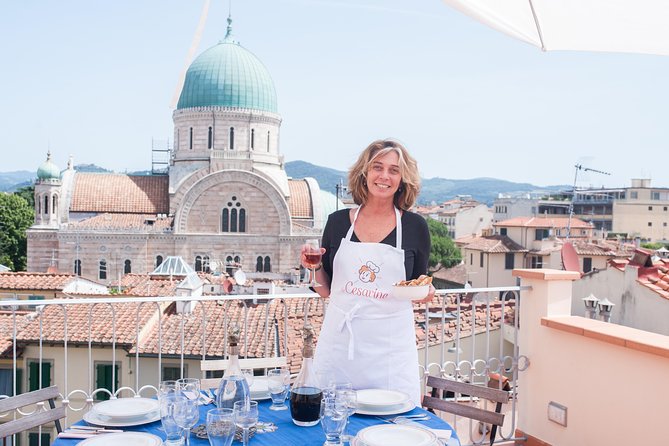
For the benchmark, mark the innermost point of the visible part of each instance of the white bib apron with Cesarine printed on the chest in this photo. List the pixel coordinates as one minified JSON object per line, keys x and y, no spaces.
{"x":368,"y":338}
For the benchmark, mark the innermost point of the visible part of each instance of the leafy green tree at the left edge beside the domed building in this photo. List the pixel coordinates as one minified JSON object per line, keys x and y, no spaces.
{"x":16,"y":216}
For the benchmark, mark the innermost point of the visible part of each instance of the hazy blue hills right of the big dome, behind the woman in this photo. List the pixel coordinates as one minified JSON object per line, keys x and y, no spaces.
{"x":484,"y":190}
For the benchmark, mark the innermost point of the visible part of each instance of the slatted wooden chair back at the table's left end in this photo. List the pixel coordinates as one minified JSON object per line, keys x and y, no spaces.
{"x":38,"y":418}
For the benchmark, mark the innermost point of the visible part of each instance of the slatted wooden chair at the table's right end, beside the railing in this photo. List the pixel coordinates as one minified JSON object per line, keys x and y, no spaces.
{"x":495,"y":418}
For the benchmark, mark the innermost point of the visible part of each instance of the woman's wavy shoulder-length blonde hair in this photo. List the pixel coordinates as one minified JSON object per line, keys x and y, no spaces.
{"x":406,"y":195}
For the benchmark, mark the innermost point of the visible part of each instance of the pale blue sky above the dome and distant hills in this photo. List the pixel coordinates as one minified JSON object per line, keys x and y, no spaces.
{"x":96,"y":80}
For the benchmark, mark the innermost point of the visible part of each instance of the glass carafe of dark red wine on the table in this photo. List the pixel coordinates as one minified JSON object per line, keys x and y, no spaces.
{"x":306,"y":394}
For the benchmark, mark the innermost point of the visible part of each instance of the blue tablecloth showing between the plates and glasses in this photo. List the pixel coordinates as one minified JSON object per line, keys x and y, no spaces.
{"x":287,"y":433}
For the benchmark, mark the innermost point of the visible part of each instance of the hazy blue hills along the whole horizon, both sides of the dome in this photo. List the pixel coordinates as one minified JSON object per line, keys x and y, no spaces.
{"x":437,"y":190}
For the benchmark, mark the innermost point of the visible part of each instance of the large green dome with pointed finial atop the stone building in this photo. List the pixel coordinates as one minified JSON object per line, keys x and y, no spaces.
{"x":228,"y":75}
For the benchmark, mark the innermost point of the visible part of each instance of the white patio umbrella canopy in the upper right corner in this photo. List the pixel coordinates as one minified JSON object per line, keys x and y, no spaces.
{"x":628,"y":26}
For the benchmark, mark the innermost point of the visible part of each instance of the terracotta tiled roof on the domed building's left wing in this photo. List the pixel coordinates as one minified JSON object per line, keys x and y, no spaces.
{"x":117,"y":193}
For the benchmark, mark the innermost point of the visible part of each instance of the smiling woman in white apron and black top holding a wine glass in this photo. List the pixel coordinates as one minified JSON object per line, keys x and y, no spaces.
{"x":367,"y":337}
